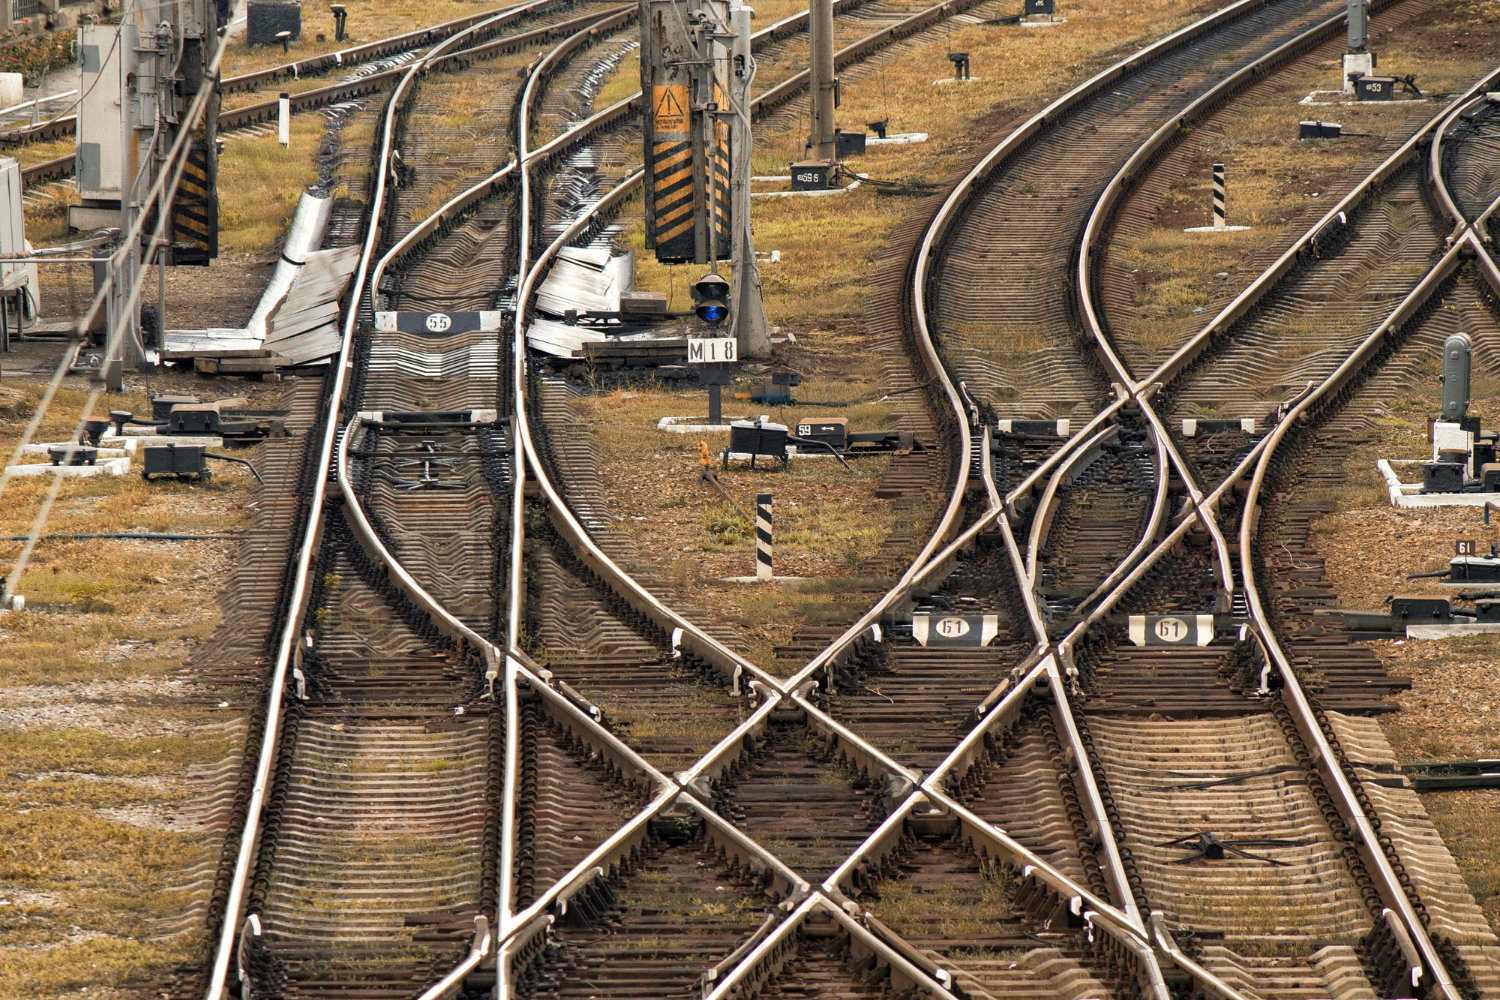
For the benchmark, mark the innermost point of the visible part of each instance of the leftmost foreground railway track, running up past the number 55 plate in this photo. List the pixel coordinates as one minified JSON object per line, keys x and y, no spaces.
{"x":379,"y":839}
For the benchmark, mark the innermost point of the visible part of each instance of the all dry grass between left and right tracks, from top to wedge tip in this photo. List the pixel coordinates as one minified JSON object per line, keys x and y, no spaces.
{"x":827,"y":521}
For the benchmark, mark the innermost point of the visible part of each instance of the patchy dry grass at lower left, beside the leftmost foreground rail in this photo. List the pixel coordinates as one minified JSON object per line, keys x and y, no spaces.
{"x":98,"y":747}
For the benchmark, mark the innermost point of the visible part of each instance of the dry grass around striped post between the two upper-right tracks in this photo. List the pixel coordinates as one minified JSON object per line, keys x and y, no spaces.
{"x":1277,"y":184}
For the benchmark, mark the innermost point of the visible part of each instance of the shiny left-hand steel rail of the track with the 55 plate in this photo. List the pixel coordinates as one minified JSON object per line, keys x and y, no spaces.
{"x":289,"y":648}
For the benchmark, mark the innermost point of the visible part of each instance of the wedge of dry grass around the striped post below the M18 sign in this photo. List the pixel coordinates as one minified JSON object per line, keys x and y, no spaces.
{"x":827,"y":519}
